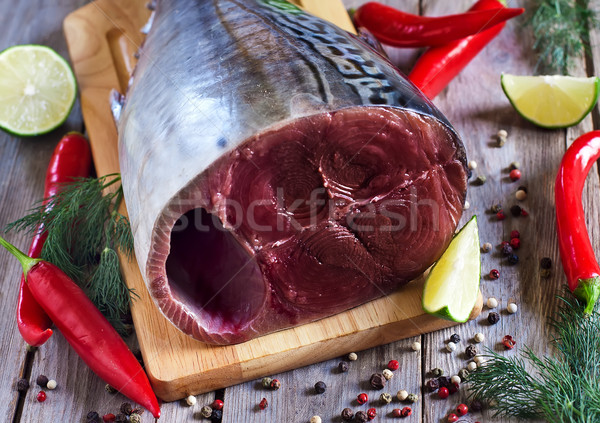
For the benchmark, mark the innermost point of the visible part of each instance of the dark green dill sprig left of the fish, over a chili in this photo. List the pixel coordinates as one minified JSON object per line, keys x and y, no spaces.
{"x":84,"y":232}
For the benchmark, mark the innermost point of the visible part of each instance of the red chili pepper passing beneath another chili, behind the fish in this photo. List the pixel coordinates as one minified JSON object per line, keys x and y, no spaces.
{"x":439,"y":65}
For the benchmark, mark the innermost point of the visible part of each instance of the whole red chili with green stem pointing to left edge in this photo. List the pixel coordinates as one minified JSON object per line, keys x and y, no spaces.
{"x":86,"y":329}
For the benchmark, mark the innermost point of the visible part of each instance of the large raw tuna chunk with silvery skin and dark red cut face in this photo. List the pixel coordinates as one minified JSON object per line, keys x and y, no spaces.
{"x":277,"y":170}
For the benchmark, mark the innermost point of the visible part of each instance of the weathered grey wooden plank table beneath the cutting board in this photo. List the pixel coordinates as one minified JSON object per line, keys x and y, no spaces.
{"x":473,"y":102}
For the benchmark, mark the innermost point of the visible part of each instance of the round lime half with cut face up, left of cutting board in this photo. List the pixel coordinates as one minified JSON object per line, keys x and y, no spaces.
{"x":37,"y":90}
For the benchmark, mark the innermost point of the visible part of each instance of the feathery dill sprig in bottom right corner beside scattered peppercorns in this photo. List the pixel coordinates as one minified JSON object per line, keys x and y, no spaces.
{"x":558,"y":388}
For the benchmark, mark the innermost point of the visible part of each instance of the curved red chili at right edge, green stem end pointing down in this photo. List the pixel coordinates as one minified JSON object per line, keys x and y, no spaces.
{"x":576,"y":252}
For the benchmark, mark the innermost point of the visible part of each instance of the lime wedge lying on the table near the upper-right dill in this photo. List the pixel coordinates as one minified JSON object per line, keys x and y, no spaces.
{"x":553,"y":101}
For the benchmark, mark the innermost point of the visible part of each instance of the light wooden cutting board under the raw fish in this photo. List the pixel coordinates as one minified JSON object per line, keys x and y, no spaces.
{"x":103,"y":37}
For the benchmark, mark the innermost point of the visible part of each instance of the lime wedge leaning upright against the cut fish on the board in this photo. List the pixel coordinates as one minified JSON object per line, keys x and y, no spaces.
{"x":452,"y":286}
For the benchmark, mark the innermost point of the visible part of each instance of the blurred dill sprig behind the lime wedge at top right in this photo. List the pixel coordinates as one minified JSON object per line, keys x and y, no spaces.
{"x":561,"y":33}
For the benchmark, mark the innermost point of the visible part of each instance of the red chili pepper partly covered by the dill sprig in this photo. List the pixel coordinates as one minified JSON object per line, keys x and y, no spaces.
{"x":71,"y":159}
